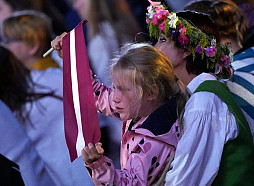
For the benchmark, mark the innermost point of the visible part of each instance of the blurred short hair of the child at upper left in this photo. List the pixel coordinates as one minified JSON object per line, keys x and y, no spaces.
{"x":29,"y":26}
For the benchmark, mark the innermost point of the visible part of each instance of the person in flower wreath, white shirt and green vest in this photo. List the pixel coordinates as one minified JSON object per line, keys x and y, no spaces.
{"x":216,"y":146}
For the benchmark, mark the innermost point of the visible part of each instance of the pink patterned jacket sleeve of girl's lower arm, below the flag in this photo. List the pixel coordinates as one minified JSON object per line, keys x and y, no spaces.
{"x":142,"y":167}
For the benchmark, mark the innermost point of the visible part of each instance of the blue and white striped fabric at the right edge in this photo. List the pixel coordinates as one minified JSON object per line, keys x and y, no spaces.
{"x":242,"y":85}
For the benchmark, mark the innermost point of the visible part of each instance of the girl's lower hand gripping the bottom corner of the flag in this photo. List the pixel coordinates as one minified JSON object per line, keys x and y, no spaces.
{"x":92,"y":153}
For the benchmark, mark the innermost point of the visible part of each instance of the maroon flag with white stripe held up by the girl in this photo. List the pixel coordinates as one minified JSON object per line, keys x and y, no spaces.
{"x":80,"y":114}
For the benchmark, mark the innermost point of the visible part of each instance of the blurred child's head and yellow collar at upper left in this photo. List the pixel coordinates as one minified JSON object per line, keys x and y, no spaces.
{"x":27,"y":34}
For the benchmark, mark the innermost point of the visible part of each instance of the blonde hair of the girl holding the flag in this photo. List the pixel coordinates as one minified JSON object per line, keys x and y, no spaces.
{"x":148,"y":69}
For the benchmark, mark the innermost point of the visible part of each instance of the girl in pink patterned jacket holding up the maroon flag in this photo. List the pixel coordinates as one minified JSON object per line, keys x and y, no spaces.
{"x":148,"y":98}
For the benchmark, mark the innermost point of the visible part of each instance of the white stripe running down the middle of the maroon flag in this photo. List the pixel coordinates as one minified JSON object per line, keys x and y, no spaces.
{"x":74,"y":79}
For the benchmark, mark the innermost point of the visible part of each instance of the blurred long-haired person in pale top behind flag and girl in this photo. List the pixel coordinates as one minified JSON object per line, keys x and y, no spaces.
{"x":110,"y":24}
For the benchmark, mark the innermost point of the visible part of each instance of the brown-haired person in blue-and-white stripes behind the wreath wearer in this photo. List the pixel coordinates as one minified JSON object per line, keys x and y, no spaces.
{"x":233,"y":27}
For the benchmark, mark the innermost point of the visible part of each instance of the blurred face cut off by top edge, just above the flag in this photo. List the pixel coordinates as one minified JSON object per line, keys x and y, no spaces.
{"x":82,"y":7}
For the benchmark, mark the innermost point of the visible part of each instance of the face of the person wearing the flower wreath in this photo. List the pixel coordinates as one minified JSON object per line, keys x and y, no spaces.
{"x":166,"y":46}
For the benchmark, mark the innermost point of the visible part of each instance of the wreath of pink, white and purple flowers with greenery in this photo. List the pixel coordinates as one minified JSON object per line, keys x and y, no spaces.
{"x":187,"y":36}
